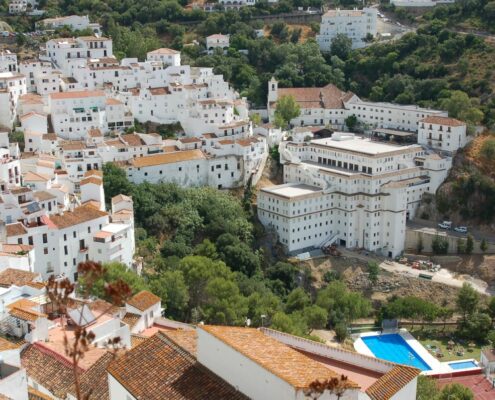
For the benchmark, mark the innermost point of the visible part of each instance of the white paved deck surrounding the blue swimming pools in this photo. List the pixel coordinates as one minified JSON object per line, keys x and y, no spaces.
{"x":437,"y":367}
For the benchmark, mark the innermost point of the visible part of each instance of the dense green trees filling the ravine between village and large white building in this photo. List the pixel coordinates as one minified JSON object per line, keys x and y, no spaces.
{"x":201,"y":256}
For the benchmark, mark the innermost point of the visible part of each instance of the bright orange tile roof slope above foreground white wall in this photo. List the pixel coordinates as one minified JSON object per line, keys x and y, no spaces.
{"x":281,"y":360}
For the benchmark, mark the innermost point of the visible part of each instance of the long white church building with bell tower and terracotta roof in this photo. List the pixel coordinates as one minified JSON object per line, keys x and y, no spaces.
{"x":330,"y":106}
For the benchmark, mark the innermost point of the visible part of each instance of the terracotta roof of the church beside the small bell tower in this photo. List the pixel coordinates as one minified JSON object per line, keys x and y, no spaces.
{"x":328,"y":97}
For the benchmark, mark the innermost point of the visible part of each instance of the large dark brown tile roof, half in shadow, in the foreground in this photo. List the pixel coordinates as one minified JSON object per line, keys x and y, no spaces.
{"x":170,"y":372}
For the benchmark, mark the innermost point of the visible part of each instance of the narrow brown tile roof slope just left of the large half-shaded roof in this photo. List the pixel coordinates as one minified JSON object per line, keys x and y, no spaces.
{"x":94,"y":381}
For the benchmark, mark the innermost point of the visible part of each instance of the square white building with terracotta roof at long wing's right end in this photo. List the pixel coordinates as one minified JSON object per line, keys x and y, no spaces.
{"x":442,"y":133}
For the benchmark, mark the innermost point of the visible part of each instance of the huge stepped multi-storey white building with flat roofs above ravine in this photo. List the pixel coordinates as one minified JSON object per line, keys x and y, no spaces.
{"x":349,"y":190}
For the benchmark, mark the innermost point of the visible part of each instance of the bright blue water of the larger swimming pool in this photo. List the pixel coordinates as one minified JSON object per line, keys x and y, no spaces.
{"x":393,"y":347}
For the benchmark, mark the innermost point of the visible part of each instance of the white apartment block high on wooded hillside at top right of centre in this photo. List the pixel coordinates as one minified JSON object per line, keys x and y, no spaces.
{"x":355,"y":24}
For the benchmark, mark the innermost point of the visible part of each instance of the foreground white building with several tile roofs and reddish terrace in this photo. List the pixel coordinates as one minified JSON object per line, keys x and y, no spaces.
{"x":245,"y":363}
